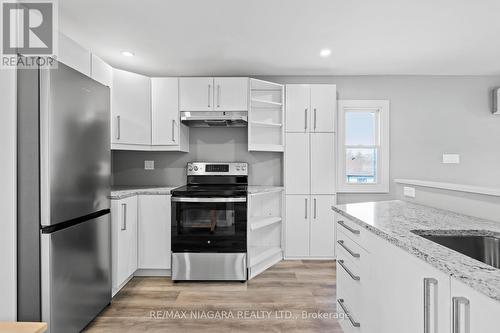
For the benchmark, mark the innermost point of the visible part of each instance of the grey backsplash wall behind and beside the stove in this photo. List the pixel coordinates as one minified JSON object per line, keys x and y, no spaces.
{"x":205,"y":144}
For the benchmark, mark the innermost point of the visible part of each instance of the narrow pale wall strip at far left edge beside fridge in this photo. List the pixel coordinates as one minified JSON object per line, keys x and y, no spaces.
{"x":8,"y":196}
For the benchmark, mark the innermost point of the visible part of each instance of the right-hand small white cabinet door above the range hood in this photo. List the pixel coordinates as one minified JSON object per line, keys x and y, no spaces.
{"x":231,"y":93}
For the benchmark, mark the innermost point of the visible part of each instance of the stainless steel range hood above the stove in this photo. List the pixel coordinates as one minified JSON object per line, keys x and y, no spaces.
{"x":214,"y":118}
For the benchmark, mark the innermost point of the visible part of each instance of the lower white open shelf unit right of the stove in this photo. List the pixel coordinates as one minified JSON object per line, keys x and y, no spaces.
{"x":264,"y":231}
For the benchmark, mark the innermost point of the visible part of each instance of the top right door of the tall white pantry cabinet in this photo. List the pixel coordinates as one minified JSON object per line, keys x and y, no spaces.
{"x":323,"y":107}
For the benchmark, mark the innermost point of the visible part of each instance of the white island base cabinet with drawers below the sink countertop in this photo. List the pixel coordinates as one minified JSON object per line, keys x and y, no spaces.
{"x":386,"y":289}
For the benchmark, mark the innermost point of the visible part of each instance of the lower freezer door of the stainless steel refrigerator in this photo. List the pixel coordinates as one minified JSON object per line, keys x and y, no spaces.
{"x":76,"y":274}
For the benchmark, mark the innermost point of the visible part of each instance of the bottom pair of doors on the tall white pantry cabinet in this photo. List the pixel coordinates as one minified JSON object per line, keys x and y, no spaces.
{"x":310,"y":229}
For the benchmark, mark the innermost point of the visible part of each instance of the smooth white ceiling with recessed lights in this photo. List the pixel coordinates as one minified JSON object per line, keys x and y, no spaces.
{"x":284,"y":37}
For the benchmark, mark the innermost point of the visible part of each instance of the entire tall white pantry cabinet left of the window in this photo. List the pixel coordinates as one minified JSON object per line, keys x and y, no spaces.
{"x":310,"y":170}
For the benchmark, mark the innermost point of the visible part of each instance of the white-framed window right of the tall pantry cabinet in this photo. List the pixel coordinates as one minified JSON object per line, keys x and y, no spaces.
{"x":363,"y":138}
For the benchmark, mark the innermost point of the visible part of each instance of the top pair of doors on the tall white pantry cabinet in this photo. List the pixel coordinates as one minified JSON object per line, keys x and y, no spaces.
{"x":311,"y":108}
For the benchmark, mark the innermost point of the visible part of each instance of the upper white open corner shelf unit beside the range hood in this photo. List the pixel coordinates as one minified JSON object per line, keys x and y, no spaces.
{"x":266,"y":116}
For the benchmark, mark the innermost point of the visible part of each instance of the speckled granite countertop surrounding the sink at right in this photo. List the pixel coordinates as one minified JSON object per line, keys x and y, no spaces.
{"x":393,"y":220}
